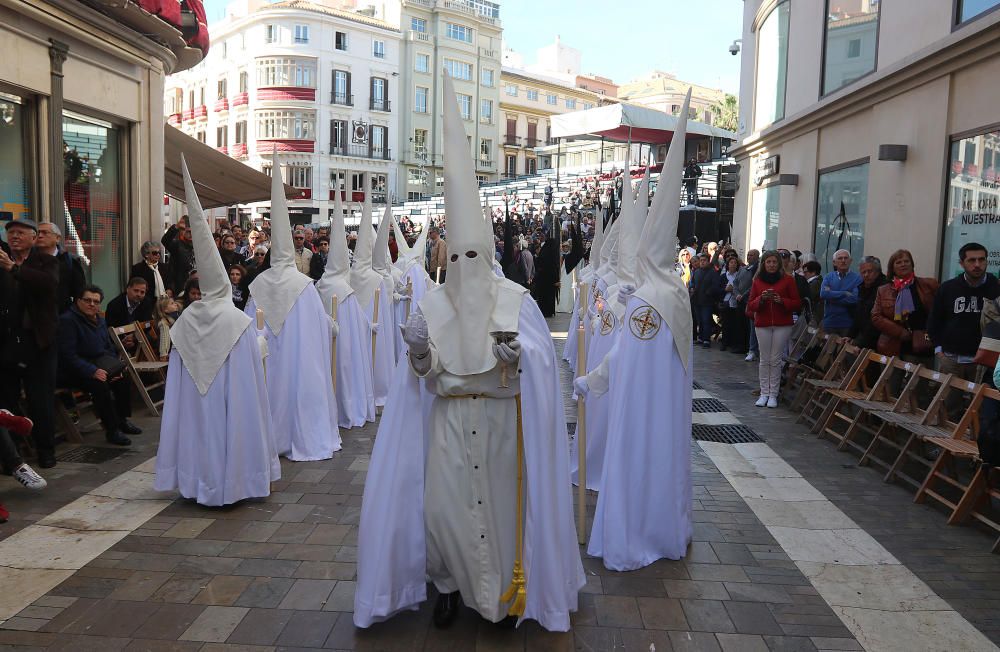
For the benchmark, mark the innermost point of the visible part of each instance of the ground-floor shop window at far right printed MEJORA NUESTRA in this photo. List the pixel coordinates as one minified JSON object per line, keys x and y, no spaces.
{"x":972,"y":213}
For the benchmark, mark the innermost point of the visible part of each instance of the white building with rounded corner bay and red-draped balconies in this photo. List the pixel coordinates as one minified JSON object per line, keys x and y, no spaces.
{"x":317,"y":83}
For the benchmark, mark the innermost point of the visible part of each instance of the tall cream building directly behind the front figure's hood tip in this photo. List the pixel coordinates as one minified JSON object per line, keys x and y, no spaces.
{"x":464,"y":38}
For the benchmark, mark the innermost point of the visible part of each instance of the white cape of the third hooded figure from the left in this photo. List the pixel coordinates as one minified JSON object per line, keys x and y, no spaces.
{"x":355,"y":395}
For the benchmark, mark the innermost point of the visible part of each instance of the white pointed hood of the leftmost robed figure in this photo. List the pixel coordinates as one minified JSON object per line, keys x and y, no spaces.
{"x":208,"y":329}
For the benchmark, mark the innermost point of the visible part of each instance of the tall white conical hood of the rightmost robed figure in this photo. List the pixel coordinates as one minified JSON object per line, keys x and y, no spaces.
{"x":658,"y":284}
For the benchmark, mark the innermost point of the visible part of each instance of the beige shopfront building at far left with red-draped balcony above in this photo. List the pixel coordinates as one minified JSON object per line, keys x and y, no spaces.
{"x":81,"y":120}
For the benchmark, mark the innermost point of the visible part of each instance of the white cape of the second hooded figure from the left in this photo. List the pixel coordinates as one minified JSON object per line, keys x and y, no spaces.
{"x":299,"y":382}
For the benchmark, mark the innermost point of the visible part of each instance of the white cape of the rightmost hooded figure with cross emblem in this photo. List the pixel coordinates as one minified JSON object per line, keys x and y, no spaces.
{"x":644,"y":508}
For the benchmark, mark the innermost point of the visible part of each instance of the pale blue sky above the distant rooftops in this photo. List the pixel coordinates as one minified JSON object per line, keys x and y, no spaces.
{"x":625,"y":40}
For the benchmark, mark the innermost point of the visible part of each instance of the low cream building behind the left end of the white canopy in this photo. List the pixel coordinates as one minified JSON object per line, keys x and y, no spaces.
{"x":527,"y":102}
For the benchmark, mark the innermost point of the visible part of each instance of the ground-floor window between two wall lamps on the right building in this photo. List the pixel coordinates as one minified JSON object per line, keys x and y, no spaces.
{"x":841,"y":213}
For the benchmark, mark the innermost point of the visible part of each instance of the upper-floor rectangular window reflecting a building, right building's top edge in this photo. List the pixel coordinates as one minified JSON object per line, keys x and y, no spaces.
{"x":851,"y":41}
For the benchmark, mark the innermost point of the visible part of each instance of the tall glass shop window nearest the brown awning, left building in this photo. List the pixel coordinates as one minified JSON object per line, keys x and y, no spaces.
{"x":92,"y":225}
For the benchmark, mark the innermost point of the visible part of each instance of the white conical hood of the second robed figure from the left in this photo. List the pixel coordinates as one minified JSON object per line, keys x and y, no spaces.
{"x":276,"y":289}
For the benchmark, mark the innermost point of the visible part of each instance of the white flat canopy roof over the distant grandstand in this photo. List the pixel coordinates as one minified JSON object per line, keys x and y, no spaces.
{"x":616,"y":121}
